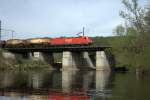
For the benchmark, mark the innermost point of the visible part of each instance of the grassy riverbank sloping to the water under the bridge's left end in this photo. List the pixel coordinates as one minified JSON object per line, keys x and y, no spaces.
{"x":21,"y":64}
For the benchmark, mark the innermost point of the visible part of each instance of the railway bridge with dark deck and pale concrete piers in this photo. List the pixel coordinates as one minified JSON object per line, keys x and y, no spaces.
{"x":78,"y":57}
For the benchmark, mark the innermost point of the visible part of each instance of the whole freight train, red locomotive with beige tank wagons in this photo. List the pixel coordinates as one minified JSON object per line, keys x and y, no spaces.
{"x":47,"y":42}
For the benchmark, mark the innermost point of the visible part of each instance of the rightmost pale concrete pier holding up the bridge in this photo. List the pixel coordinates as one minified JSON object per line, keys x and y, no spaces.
{"x":102,"y":63}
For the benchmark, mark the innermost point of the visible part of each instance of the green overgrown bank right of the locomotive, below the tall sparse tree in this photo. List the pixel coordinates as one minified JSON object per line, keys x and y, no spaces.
{"x":131,"y":52}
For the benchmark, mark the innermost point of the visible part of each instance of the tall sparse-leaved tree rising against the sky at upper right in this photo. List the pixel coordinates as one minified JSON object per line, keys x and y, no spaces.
{"x":134,"y":15}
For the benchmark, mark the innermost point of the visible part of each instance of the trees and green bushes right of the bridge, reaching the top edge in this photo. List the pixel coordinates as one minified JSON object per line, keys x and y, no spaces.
{"x":132,"y":48}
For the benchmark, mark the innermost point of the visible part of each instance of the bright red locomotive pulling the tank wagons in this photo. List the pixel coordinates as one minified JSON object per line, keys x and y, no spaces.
{"x":82,"y":40}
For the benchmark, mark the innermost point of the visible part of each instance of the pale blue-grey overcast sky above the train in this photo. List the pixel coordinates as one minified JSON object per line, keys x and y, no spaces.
{"x":41,"y":18}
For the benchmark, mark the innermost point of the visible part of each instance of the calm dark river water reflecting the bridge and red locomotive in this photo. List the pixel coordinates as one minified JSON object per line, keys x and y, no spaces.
{"x":73,"y":85}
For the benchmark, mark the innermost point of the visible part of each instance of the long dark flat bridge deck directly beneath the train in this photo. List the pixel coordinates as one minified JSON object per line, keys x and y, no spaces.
{"x":58,"y":49}
